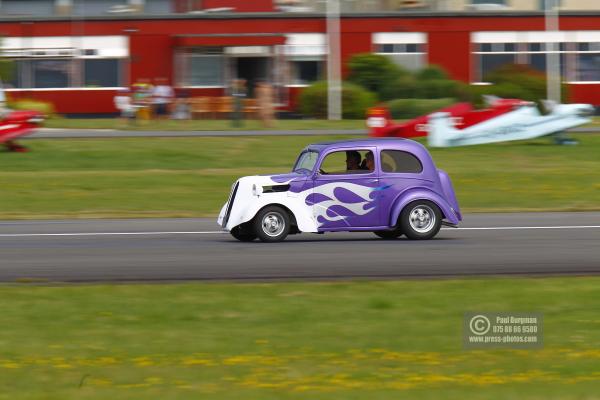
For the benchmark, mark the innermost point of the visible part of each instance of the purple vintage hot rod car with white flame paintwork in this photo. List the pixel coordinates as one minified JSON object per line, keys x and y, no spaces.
{"x":387,"y":186}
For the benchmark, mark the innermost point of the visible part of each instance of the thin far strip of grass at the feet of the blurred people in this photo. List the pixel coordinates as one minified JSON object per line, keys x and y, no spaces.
{"x":200,"y":125}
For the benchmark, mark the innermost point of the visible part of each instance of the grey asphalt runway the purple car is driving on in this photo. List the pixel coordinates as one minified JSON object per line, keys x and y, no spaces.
{"x":195,"y":249}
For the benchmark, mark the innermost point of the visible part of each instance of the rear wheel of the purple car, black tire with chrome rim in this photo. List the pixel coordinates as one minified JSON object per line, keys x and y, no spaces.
{"x":421,"y":220}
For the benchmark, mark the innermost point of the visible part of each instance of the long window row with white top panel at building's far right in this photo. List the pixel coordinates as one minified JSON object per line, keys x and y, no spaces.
{"x":579,"y":52}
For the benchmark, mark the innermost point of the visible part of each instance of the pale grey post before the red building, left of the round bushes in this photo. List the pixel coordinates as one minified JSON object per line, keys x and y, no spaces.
{"x":334,"y":70}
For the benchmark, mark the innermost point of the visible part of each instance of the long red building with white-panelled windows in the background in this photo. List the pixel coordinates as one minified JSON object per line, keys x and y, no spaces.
{"x":78,"y":63}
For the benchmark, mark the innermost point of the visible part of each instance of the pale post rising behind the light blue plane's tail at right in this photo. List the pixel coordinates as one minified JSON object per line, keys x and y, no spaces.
{"x":553,"y":76}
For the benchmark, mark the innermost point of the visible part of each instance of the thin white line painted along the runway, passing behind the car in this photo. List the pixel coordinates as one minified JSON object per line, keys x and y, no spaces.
{"x":493,"y":228}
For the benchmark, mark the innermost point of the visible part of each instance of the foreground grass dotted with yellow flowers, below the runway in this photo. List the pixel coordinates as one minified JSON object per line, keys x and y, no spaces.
{"x":361,"y":340}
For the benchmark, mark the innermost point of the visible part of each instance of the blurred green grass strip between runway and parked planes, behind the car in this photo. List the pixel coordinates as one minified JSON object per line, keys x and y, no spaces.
{"x":187,"y":177}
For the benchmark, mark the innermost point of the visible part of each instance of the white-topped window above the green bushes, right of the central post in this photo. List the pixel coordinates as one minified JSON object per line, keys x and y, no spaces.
{"x":405,"y":49}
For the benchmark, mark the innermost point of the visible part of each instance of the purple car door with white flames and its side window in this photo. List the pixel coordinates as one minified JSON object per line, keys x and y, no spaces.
{"x":342,"y":199}
